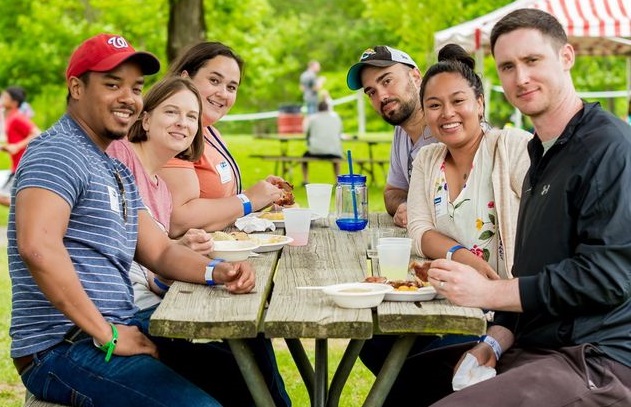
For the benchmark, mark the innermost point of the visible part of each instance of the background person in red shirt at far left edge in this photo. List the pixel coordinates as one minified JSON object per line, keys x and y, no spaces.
{"x":19,"y":131}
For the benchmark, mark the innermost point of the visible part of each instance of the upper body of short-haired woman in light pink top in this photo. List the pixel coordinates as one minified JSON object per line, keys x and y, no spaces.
{"x":169,"y":126}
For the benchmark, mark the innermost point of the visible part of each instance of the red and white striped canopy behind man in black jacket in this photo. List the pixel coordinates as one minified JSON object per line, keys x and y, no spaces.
{"x":594,"y":27}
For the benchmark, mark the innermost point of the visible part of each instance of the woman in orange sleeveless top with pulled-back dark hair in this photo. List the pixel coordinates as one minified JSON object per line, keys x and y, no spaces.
{"x":208,"y":194}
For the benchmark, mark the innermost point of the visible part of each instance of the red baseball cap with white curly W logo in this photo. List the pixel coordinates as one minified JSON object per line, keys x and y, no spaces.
{"x":105,"y":52}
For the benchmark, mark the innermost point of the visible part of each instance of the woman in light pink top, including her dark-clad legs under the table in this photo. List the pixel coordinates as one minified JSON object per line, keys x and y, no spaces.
{"x":170,"y":126}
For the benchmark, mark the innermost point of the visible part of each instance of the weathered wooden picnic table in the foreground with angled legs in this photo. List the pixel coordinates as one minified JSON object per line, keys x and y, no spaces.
{"x":279,"y":310}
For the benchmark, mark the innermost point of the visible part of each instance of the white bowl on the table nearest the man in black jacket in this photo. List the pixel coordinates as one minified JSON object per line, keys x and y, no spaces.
{"x":357,"y":295}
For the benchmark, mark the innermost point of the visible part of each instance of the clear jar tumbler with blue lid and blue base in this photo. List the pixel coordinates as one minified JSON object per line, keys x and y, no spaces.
{"x":351,"y":202}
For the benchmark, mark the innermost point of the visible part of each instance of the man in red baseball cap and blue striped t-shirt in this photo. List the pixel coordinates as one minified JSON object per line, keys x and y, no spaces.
{"x":81,"y":222}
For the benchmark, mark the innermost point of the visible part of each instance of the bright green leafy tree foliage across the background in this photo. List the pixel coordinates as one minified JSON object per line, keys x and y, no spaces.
{"x":276,"y":38}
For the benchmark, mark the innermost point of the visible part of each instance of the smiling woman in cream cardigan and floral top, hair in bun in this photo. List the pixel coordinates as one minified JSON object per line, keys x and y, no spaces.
{"x":464,"y":192}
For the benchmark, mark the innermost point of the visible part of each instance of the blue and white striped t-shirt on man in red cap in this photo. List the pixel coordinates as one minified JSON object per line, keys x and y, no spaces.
{"x":100,"y":242}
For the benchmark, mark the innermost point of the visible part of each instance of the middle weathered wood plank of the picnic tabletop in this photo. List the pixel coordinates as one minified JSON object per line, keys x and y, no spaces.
{"x":332,"y":256}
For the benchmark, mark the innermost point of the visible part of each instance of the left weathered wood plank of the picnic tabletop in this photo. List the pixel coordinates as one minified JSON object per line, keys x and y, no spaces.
{"x":201,"y":312}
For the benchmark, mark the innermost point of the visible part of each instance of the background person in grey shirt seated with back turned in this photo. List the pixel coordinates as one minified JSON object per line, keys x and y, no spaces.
{"x":324,"y":133}
